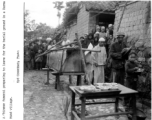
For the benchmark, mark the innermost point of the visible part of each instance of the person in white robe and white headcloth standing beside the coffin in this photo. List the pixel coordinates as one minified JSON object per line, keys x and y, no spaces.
{"x":99,"y":60}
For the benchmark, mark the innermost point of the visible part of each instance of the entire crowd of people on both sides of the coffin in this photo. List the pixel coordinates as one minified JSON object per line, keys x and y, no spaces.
{"x":122,"y":69}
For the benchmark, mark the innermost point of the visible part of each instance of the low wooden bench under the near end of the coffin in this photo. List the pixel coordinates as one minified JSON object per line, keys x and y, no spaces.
{"x":58,"y":74}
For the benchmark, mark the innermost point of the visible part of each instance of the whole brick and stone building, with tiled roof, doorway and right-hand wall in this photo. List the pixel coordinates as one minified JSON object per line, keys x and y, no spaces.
{"x":134,"y":18}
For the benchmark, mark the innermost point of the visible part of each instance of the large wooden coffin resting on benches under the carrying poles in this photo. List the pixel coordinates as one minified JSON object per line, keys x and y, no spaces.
{"x":66,"y":61}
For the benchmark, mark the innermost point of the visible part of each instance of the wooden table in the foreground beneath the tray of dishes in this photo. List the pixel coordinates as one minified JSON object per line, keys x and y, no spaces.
{"x":83,"y":96}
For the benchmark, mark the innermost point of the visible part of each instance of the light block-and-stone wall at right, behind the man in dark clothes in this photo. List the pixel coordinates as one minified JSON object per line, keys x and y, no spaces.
{"x":136,"y":24}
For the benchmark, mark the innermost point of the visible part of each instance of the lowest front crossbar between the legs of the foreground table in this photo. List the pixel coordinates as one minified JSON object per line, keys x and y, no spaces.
{"x":110,"y":114}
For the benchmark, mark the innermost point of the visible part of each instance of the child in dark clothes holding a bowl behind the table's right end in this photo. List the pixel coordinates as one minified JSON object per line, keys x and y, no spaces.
{"x":131,"y":68}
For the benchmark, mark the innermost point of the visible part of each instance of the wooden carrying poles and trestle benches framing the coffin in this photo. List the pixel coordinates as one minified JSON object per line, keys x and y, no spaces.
{"x":60,"y":72}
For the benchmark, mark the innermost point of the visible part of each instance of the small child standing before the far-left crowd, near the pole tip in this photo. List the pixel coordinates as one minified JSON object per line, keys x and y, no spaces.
{"x":39,"y":60}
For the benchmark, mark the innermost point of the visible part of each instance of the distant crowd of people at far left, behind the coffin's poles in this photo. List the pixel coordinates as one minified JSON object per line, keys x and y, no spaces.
{"x":31,"y":50}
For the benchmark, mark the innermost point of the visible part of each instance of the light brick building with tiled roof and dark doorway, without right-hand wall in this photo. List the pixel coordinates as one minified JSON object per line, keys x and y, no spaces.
{"x":83,"y":17}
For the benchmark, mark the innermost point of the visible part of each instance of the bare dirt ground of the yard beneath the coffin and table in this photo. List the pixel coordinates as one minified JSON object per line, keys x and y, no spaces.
{"x":42,"y":102}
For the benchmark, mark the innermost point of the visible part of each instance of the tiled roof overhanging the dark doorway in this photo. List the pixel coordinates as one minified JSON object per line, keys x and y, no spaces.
{"x":107,"y":6}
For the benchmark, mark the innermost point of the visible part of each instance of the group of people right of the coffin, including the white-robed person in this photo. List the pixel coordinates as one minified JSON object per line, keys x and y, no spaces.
{"x":113,"y":54}
